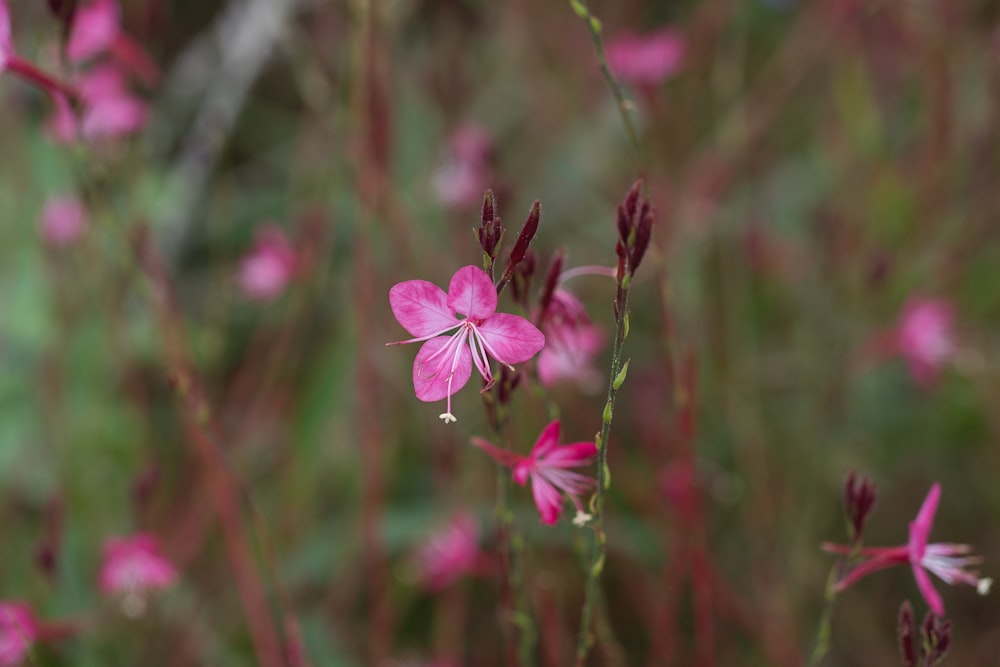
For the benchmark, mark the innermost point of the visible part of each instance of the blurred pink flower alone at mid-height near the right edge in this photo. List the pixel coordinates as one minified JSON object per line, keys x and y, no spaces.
{"x":925,"y":337}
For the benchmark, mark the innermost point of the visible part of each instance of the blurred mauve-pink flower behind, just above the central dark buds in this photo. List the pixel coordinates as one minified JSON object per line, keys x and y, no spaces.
{"x":462,"y":179}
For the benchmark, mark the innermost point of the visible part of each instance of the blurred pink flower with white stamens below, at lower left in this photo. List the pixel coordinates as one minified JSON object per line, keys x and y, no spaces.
{"x":133,"y":567}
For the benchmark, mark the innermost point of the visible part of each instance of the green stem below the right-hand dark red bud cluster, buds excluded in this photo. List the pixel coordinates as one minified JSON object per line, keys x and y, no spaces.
{"x":586,"y":639}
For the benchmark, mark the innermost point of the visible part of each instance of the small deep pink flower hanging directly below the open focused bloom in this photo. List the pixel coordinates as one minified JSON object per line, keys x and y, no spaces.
{"x":546,"y":467}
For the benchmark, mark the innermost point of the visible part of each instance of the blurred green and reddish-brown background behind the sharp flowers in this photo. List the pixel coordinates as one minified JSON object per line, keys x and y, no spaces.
{"x":193,"y":311}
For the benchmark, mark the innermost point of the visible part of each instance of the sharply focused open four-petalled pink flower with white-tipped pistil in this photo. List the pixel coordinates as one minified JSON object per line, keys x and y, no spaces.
{"x":477,"y":332}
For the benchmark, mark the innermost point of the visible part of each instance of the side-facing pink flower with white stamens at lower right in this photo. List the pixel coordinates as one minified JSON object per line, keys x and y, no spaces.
{"x":947,"y":561}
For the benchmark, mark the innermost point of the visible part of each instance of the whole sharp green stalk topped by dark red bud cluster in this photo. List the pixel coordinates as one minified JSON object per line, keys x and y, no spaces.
{"x":635,"y":220}
